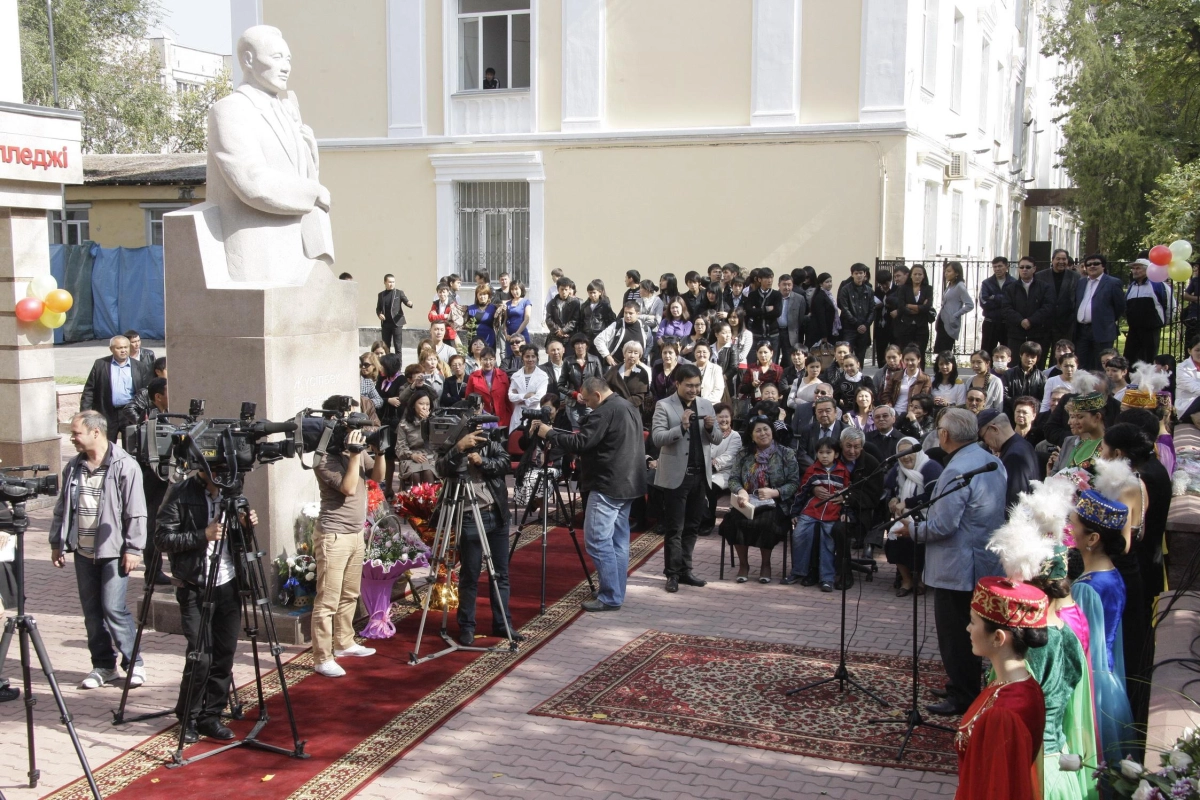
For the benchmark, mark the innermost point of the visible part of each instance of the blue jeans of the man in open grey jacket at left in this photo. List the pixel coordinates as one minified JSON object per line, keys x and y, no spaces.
{"x":105,"y":615}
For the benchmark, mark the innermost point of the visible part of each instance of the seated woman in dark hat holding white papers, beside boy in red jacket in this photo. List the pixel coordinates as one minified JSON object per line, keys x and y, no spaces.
{"x":770,"y":473}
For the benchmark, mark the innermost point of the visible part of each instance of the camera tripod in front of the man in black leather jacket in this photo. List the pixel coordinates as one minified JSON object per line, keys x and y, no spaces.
{"x":256,"y":610}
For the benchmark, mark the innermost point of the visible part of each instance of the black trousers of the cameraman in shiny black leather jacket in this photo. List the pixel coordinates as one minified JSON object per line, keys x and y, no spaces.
{"x":214,"y":669}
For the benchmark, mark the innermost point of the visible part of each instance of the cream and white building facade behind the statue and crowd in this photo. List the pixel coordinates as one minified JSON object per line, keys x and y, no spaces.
{"x":601,"y":136}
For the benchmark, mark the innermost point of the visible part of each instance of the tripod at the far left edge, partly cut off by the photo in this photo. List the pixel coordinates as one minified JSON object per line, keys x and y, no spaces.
{"x":26,"y":627}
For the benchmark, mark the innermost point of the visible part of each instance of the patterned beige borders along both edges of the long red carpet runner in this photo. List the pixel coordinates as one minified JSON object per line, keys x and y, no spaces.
{"x":351,"y":772}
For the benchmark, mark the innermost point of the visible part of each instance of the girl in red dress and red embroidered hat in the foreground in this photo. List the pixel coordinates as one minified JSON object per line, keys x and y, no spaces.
{"x":1000,"y":737}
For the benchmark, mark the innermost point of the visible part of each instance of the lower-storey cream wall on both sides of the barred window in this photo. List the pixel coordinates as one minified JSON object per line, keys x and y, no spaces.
{"x":653,"y":208}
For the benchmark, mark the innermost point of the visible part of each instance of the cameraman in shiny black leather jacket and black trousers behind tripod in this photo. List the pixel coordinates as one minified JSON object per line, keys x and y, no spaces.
{"x":190,"y":531}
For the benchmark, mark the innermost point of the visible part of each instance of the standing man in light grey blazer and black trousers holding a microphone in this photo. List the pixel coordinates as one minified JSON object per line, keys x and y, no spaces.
{"x":685,"y":430}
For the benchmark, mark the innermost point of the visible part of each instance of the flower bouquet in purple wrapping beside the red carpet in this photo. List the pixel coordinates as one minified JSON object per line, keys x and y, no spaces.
{"x":391,"y":554}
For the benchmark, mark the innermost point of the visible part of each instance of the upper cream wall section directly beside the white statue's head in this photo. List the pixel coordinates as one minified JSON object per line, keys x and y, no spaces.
{"x":340,"y":59}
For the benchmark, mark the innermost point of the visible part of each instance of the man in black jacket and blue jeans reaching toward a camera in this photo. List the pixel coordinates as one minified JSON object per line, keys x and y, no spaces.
{"x":609,"y":442}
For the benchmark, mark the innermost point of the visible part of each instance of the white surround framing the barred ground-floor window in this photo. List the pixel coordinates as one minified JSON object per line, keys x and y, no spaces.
{"x":453,"y":169}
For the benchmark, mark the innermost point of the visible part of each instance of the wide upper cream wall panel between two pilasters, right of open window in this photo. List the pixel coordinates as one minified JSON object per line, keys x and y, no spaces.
{"x":679,"y":65}
